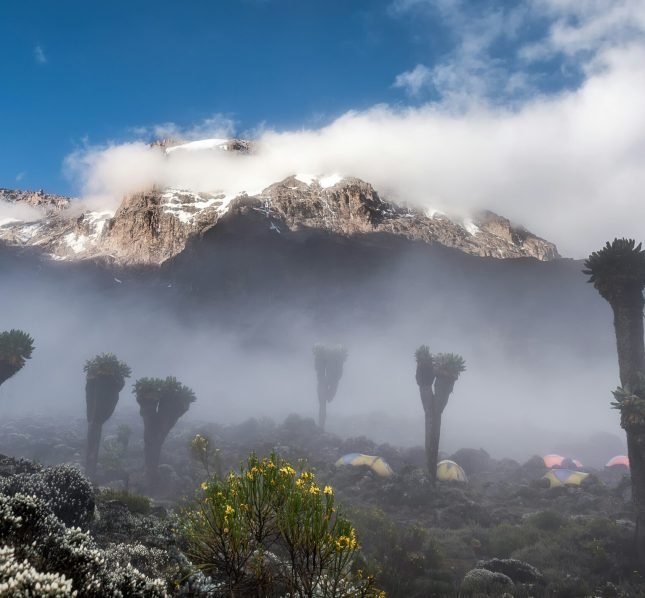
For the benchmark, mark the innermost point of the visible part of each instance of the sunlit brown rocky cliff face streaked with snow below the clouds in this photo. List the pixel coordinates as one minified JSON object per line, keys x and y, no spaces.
{"x":153,"y":226}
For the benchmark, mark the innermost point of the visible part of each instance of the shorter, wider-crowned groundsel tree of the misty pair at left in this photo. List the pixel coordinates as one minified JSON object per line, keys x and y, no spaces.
{"x":162,"y":401}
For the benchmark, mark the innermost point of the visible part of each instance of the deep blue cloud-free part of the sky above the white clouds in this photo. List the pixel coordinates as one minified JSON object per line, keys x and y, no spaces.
{"x":77,"y":72}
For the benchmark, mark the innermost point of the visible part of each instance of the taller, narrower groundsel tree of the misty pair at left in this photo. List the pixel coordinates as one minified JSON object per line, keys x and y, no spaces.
{"x":104,"y":379}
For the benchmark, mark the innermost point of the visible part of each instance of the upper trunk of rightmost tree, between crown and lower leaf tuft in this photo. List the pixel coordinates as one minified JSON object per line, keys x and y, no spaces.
{"x":628,"y":323}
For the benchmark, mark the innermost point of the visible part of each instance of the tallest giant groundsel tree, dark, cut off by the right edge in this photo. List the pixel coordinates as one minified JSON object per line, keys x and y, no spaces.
{"x":617,"y":272}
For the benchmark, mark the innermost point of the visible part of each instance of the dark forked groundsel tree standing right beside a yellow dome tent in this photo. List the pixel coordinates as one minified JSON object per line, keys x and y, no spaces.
{"x":436,"y":376}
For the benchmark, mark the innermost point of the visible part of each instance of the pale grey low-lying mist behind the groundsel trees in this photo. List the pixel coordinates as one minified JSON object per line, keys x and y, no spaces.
{"x":540,"y":355}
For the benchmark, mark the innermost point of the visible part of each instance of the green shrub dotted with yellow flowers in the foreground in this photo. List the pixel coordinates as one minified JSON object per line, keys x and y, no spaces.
{"x":269,"y":530}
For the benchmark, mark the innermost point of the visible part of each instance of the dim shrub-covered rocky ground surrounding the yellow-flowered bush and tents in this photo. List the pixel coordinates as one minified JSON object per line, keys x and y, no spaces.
{"x":502,"y":533}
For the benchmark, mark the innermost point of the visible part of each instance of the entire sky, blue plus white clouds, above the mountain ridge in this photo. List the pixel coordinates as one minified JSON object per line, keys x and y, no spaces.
{"x":530,"y":108}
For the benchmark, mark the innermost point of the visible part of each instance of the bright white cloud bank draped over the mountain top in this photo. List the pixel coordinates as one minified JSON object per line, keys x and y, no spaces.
{"x":568,"y":165}
